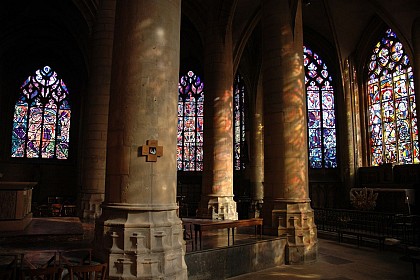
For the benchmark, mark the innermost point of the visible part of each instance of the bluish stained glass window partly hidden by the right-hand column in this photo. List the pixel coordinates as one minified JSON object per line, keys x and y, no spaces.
{"x":322,"y":136}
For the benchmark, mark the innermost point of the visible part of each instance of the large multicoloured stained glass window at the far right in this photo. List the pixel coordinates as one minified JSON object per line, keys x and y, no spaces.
{"x":392,"y":104}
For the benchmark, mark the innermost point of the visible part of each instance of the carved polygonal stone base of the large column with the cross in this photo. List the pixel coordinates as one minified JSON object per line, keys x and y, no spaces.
{"x":141,"y":244}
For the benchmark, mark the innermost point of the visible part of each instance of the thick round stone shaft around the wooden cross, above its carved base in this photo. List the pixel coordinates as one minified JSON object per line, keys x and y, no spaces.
{"x":145,"y":70}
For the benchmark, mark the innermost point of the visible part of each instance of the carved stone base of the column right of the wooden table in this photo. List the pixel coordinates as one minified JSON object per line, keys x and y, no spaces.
{"x":296,"y":223}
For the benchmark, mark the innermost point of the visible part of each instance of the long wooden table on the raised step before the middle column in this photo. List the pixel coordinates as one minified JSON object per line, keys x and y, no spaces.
{"x":204,"y":225}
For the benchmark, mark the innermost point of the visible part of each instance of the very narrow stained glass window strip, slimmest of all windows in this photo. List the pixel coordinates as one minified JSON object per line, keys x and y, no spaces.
{"x":239,"y":120}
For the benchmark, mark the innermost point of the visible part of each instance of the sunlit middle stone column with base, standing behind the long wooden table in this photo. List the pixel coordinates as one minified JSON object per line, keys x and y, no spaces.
{"x":217,"y":193}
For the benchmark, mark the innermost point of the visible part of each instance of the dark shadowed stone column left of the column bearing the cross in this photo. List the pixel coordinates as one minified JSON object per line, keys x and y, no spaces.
{"x":96,"y":112}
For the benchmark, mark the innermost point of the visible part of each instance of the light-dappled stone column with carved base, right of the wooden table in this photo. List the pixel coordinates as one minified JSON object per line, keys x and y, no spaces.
{"x":287,"y":209}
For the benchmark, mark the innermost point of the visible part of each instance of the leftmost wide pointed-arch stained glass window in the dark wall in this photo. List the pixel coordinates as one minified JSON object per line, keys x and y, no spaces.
{"x":41,"y":119}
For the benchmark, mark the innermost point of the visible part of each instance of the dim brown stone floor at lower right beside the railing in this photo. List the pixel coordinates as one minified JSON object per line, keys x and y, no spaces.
{"x":339,"y":261}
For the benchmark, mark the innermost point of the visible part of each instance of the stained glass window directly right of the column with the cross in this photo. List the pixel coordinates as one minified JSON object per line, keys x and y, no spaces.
{"x":190,"y":123}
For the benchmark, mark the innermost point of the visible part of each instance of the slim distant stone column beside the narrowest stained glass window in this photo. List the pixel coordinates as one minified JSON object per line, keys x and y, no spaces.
{"x":257,"y":154}
